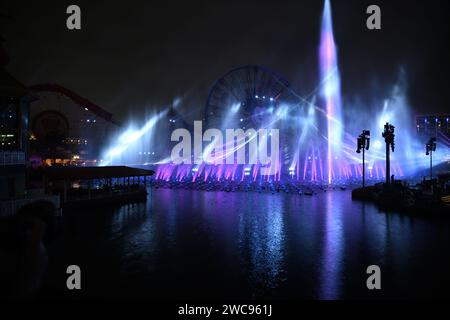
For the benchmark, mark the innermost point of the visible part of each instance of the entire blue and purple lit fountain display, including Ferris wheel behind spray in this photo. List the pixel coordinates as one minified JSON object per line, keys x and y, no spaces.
{"x":317,"y":133}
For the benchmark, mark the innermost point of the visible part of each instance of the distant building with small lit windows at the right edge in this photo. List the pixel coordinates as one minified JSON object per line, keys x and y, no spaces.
{"x":433,"y":125}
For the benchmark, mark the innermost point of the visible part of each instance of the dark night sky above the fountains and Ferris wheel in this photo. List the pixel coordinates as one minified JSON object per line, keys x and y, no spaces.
{"x":131,"y":55}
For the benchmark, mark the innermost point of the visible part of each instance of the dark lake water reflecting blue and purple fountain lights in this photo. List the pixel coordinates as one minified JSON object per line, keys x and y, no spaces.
{"x":195,"y":244}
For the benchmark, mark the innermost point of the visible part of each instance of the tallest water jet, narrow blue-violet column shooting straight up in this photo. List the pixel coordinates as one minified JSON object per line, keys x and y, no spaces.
{"x":331,"y":90}
